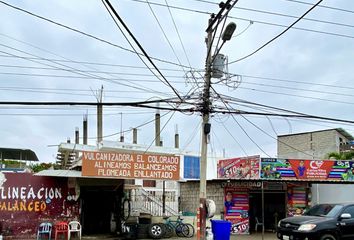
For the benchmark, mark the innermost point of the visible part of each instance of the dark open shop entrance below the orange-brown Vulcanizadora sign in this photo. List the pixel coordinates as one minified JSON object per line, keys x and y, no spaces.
{"x":100,"y":209}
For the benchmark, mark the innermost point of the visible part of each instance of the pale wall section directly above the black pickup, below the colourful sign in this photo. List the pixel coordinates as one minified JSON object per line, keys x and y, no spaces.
{"x":332,"y":193}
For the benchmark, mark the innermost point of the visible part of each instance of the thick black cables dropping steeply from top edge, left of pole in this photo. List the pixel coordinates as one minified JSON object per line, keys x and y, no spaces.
{"x":108,"y":5}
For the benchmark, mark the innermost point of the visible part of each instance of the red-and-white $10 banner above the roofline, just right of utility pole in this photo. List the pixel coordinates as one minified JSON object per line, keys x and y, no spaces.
{"x":239,"y":168}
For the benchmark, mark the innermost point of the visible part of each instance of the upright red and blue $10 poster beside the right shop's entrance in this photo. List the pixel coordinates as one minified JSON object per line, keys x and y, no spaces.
{"x":236,"y":207}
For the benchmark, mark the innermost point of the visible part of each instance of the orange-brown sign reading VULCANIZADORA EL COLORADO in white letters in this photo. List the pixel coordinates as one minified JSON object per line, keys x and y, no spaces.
{"x":130,"y":165}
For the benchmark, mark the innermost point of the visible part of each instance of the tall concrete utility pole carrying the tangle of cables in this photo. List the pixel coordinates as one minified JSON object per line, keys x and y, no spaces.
{"x":205,"y":133}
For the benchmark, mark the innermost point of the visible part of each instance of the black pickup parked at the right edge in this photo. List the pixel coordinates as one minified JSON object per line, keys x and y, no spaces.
{"x":321,"y":222}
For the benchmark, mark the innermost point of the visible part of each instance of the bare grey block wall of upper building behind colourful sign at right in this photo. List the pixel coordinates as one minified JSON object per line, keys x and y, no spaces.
{"x":317,"y":144}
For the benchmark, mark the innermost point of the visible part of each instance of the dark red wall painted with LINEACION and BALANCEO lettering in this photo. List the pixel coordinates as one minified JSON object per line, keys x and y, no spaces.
{"x":25,"y":200}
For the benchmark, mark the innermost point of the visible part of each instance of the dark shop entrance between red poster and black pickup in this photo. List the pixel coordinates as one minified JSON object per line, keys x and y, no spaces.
{"x":274,"y":208}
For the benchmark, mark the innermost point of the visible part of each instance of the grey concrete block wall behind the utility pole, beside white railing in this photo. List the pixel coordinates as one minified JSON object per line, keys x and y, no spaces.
{"x":190,"y":196}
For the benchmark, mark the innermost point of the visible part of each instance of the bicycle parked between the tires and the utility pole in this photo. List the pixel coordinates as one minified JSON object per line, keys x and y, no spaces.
{"x":181,"y":229}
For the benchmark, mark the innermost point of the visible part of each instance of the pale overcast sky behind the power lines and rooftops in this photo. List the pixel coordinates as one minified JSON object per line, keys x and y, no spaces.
{"x":311,"y":68}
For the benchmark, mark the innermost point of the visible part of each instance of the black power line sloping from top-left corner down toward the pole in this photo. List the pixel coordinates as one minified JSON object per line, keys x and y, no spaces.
{"x":81,"y":32}
